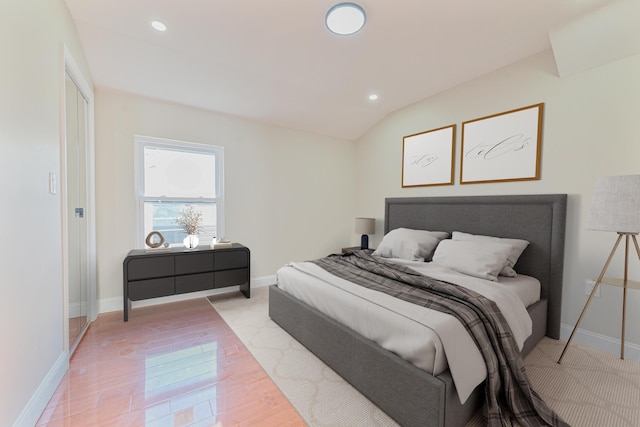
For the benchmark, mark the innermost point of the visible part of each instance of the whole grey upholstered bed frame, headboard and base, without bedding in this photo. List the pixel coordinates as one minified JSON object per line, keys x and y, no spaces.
{"x":408,"y":394}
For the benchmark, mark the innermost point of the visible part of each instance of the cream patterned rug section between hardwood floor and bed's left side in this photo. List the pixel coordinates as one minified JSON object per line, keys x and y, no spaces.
{"x":320,"y":395}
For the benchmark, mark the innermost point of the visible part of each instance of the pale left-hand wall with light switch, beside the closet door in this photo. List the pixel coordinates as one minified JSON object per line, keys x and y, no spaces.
{"x":32,"y":33}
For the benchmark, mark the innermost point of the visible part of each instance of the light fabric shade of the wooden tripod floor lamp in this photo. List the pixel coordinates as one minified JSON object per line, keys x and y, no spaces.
{"x":616,"y":204}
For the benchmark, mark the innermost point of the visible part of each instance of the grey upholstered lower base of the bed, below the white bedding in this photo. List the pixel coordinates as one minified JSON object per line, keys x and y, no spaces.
{"x":409,"y":395}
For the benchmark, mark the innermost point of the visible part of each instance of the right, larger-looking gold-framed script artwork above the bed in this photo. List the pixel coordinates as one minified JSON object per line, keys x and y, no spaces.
{"x":502,"y":147}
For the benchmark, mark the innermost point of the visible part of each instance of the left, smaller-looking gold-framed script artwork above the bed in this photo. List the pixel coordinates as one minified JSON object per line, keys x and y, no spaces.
{"x":427,"y":157}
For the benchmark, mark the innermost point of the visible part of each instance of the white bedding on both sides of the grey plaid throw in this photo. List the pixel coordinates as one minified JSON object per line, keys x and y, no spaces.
{"x":430,"y":340}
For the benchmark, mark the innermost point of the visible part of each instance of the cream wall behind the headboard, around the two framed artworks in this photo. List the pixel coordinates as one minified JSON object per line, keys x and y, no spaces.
{"x":589,"y":130}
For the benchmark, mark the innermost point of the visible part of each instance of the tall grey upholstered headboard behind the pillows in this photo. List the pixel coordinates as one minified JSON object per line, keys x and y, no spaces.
{"x":539,"y":218}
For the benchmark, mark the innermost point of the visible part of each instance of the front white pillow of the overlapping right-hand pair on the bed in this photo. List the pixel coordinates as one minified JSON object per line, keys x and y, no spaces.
{"x":483,"y":259}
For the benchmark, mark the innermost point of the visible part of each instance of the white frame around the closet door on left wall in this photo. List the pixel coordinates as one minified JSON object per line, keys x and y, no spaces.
{"x":71,"y":67}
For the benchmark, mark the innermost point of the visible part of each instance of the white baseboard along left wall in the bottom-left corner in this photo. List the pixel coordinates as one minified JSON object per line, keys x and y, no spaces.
{"x":39,"y":400}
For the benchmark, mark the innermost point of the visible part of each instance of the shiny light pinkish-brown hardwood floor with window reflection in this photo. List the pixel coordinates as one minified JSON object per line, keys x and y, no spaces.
{"x":174,"y":364}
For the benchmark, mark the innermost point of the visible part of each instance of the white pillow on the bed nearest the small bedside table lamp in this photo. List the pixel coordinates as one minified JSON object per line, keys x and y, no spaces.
{"x":405,"y":243}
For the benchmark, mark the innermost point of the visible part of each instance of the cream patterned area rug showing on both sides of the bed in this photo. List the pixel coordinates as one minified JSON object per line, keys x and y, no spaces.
{"x":590,"y":388}
